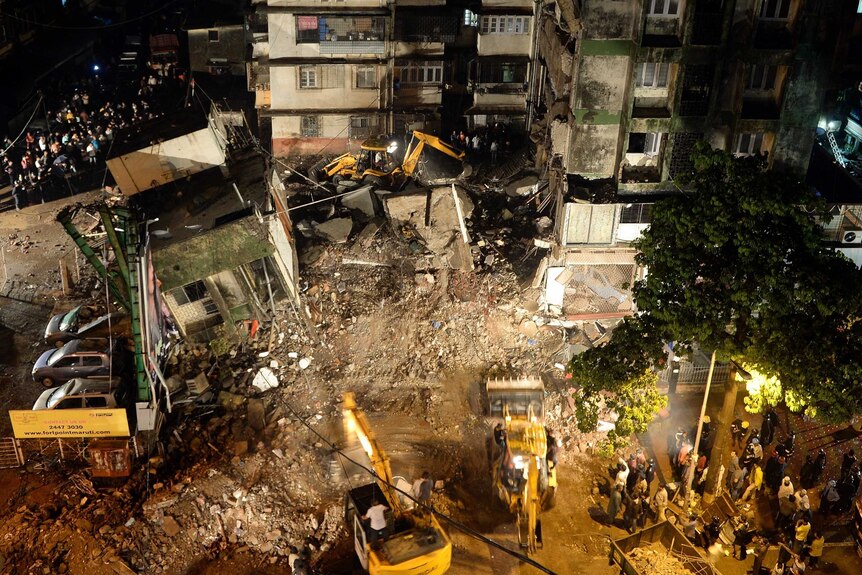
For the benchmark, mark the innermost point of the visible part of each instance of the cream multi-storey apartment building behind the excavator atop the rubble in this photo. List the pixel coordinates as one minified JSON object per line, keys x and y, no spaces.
{"x":329,"y":74}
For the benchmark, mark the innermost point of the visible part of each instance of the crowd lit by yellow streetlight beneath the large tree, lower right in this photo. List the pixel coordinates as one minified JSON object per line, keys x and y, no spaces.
{"x":757,"y":478}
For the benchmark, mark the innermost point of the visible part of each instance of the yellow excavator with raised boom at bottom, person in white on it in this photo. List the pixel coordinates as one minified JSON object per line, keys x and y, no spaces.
{"x":415,"y":543}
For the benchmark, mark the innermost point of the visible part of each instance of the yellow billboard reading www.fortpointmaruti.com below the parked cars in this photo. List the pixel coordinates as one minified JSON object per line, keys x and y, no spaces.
{"x":76,"y":423}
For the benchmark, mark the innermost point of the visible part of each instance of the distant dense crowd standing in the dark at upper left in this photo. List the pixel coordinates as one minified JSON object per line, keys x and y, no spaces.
{"x":82,"y":119}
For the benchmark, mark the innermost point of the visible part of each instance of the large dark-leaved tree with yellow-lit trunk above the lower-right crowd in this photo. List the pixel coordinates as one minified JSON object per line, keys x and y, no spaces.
{"x":737,"y":264}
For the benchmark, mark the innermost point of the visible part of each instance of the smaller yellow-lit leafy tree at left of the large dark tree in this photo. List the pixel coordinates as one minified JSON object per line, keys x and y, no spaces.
{"x":617,"y":376}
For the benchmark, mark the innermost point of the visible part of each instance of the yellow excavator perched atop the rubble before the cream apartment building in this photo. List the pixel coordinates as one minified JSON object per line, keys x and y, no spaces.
{"x":376,"y":162}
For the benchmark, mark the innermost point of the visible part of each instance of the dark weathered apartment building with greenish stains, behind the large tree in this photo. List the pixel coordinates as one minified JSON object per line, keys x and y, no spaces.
{"x":629,"y":87}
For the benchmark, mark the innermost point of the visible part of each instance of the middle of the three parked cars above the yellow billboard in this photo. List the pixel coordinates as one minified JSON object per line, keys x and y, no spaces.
{"x":78,"y":358}
